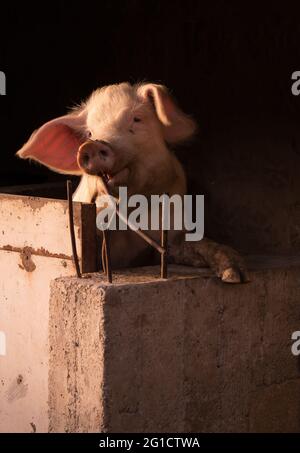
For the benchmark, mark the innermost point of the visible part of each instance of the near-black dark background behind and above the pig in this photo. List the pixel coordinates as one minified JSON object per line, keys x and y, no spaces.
{"x":229,"y":64}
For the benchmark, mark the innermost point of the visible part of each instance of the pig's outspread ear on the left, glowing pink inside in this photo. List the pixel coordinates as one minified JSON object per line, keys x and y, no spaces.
{"x":55,"y":144}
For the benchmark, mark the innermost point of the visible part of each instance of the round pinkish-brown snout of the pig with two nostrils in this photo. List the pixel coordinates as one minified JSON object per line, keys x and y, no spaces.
{"x":96,"y":157}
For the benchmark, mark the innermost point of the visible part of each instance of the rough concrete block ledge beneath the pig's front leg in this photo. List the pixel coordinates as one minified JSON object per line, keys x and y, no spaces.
{"x":187,"y":354}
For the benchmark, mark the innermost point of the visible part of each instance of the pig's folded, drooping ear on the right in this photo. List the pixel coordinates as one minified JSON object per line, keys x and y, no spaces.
{"x":177,"y":126}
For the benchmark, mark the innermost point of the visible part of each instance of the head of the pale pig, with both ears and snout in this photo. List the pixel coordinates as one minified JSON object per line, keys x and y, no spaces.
{"x":121,"y":131}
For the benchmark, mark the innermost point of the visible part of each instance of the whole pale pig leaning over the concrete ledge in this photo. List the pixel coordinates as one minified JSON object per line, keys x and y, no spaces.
{"x":127,"y":132}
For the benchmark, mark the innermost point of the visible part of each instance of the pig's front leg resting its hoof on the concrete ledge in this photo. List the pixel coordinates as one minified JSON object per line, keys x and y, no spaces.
{"x":223,"y":260}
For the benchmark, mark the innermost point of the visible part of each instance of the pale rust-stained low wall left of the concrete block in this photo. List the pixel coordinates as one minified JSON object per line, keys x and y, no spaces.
{"x":35,"y":248}
